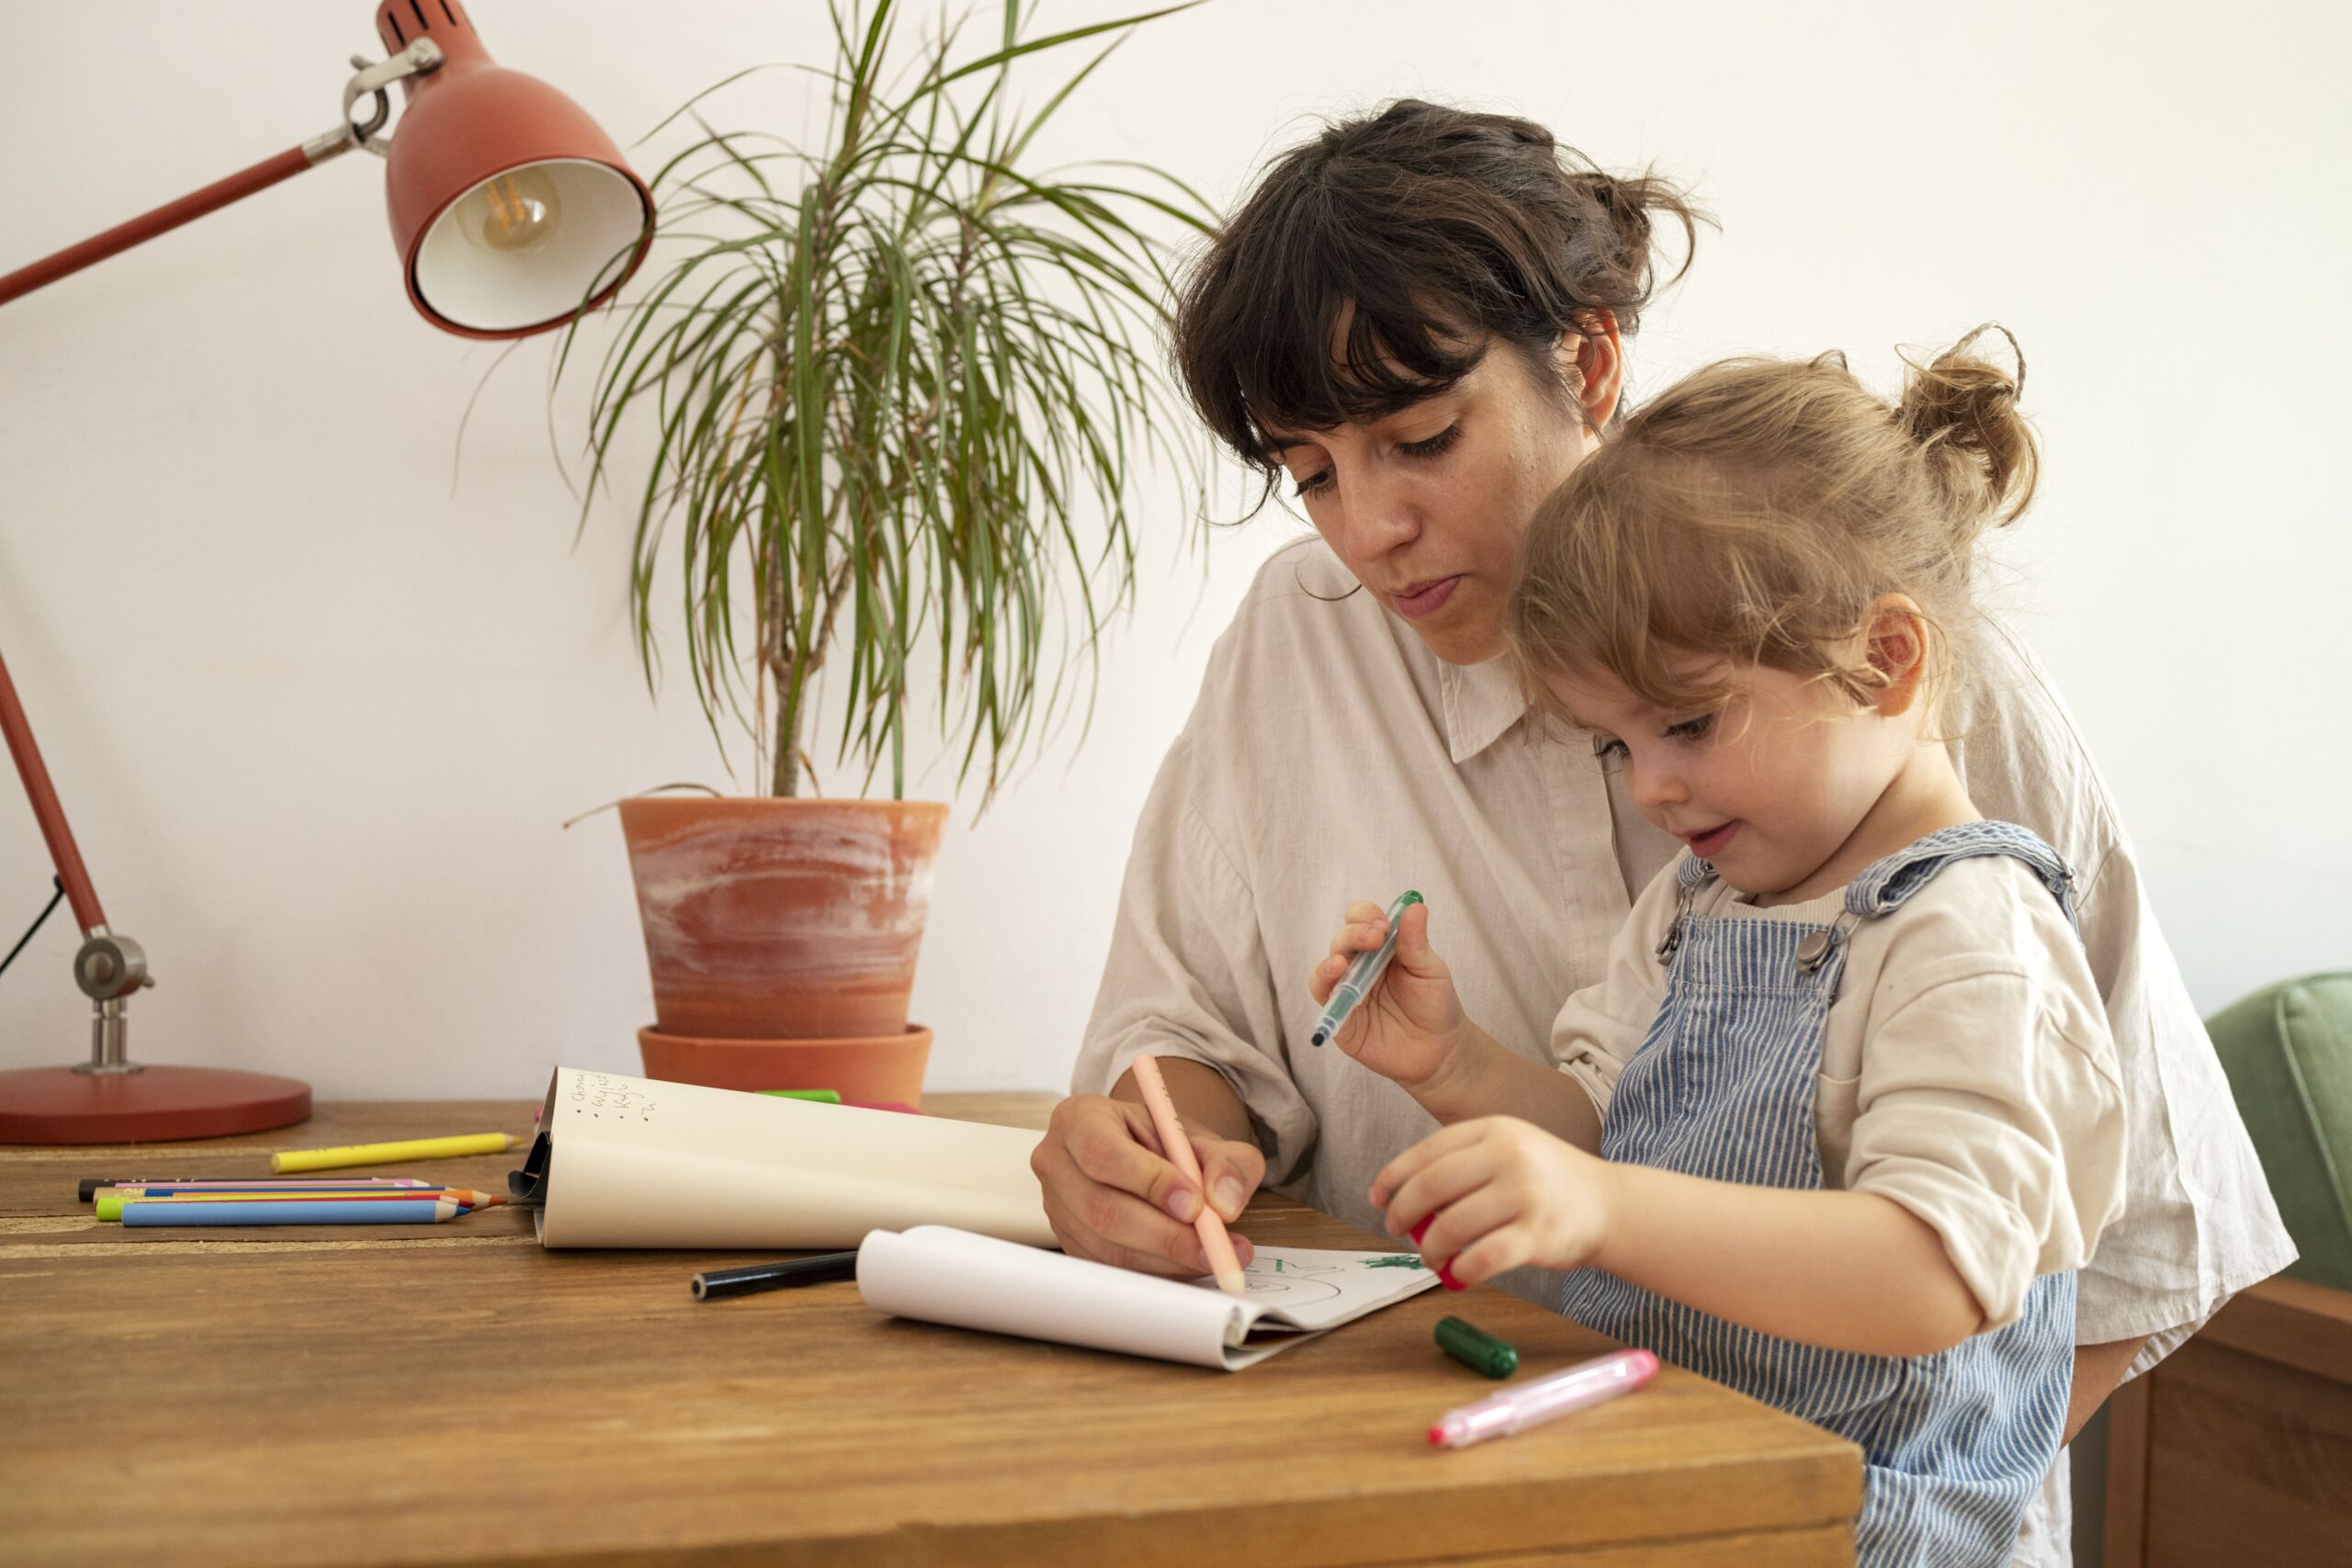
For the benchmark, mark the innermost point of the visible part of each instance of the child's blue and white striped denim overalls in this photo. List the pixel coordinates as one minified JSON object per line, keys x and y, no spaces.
{"x":1723,"y":1087}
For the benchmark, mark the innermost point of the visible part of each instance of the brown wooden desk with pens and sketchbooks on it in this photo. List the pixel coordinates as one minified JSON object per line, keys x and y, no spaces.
{"x":457,"y":1395}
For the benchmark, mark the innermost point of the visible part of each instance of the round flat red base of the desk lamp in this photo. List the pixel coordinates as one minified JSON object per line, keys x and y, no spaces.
{"x":147,"y":1106}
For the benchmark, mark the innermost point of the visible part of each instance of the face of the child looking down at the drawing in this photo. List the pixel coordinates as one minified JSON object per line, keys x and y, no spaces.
{"x":1768,"y":789}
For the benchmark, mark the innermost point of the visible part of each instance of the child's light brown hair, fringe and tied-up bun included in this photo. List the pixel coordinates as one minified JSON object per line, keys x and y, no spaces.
{"x":1758,"y":509}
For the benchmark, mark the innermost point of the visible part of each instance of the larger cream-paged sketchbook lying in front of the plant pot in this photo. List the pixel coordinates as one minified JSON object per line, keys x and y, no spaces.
{"x":639,"y":1162}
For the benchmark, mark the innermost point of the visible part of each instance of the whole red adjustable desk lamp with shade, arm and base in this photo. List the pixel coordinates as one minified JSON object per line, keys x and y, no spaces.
{"x":512,"y":215}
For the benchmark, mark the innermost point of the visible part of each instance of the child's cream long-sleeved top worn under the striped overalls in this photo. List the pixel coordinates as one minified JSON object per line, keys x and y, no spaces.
{"x":1965,"y":1073}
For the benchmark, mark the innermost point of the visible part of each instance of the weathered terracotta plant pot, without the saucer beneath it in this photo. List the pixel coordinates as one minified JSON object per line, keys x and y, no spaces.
{"x":782,"y":918}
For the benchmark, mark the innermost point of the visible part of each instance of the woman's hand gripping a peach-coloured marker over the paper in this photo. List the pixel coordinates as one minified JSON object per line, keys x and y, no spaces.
{"x":1114,"y":1198}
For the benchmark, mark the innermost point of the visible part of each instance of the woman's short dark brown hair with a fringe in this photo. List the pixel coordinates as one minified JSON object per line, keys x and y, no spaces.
{"x":1429,"y":232}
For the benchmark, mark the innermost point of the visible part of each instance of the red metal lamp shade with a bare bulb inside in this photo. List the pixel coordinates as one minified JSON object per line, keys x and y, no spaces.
{"x":509,"y":206}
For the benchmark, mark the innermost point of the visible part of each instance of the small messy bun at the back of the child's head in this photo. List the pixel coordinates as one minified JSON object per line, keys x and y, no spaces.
{"x":1982,"y":455}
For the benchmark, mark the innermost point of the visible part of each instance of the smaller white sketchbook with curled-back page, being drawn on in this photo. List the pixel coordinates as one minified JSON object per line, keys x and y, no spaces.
{"x":947,"y":1275}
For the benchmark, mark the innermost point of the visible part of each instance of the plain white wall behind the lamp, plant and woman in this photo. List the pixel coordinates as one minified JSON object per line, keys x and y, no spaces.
{"x":319,"y":697}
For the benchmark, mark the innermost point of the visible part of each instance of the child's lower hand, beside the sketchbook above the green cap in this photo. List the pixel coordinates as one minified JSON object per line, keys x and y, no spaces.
{"x":1504,"y":1195}
